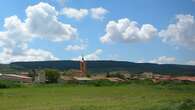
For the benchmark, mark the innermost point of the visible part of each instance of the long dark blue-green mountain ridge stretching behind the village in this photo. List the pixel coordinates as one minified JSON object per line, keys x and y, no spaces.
{"x":100,"y":67}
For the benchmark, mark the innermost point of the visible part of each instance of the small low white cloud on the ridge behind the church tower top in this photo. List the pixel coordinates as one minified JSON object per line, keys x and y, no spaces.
{"x":92,"y":56}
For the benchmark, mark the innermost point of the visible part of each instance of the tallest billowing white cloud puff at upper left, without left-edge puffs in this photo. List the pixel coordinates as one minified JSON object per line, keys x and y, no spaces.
{"x":42,"y":21}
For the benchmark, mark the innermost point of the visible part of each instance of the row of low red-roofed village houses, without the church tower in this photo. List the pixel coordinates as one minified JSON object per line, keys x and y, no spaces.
{"x":41,"y":78}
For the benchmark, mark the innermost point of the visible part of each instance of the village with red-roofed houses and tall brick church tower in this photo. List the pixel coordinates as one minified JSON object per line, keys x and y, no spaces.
{"x":82,"y":76}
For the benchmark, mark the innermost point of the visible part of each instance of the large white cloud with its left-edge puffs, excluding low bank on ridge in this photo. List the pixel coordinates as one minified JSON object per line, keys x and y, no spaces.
{"x":41,"y":22}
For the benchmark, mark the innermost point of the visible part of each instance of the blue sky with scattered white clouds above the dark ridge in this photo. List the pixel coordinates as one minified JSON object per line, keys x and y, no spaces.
{"x":152,"y":31}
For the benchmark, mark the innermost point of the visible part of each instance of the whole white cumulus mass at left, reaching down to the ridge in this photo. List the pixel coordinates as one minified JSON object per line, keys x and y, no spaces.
{"x":41,"y":22}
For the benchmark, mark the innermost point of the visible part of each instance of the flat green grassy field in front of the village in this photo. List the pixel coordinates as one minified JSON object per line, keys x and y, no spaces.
{"x":83,"y":97}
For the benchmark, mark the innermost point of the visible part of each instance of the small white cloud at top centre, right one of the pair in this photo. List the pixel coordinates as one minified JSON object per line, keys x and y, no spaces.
{"x":98,"y":13}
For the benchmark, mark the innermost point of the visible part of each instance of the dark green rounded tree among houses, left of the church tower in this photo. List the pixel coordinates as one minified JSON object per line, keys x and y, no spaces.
{"x":52,"y":75}
